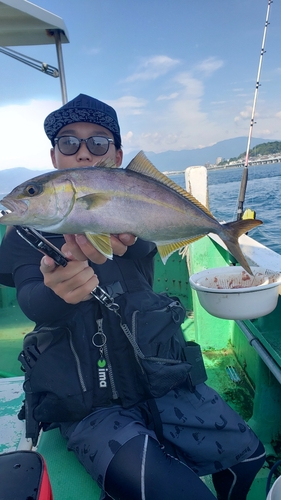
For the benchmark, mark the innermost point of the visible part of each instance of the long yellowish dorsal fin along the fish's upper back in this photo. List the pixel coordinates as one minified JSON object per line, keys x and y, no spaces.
{"x":142,"y":165}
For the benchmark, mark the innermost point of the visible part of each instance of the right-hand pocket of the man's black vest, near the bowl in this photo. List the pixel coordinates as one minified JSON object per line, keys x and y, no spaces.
{"x":157,"y":340}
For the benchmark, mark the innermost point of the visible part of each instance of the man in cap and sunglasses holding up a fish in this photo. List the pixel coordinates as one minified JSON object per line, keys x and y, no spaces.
{"x":137,"y":437}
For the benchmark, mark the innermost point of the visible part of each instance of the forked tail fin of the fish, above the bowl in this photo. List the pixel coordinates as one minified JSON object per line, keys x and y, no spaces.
{"x":230,"y":234}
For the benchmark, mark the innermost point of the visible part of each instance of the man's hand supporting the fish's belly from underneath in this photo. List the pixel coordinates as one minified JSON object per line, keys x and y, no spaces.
{"x":78,"y":247}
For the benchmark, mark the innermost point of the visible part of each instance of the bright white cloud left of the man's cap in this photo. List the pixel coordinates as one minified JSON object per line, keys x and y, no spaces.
{"x":23,"y":137}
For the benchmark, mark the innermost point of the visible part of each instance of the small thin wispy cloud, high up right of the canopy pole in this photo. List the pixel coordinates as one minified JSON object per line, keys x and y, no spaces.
{"x":152,"y":68}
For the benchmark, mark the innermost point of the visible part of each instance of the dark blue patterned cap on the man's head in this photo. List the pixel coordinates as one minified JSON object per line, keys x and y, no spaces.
{"x":83,"y":109}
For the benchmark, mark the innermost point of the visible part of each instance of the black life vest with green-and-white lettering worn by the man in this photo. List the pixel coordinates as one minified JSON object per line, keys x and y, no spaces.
{"x":97,"y":357}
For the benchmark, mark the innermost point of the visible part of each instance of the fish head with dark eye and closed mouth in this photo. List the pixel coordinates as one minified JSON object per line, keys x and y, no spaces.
{"x":42,"y":202}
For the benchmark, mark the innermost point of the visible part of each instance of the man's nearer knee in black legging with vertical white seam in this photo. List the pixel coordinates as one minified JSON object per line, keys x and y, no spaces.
{"x":151,"y":473}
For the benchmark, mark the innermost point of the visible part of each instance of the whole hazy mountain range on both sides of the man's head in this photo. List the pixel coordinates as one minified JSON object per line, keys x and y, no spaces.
{"x":169,"y":160}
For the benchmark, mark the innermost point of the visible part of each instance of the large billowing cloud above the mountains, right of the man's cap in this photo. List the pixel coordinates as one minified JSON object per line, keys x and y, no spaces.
{"x":176,"y":123}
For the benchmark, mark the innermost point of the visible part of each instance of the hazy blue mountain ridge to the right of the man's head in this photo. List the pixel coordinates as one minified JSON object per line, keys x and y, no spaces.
{"x":180,"y":160}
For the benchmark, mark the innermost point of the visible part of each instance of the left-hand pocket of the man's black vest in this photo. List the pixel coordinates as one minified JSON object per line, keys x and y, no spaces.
{"x":56,"y":384}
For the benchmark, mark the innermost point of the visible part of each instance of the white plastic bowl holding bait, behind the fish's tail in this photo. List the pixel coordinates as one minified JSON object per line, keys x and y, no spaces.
{"x":232,"y":293}
